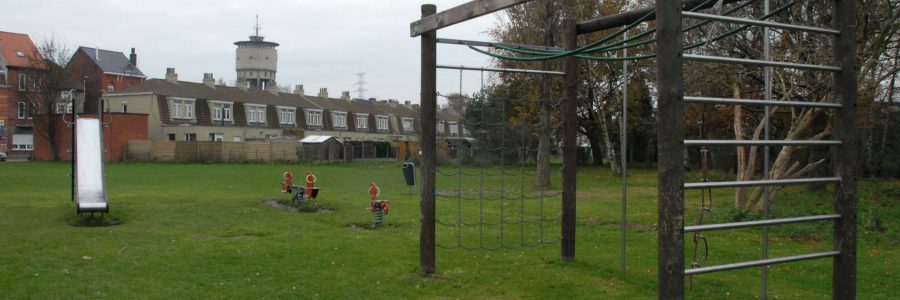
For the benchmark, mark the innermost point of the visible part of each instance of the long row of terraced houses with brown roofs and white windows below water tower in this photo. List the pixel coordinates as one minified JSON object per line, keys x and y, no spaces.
{"x":204,"y":111}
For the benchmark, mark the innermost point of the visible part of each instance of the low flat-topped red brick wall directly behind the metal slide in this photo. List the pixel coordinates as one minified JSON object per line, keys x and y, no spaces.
{"x":124,"y":127}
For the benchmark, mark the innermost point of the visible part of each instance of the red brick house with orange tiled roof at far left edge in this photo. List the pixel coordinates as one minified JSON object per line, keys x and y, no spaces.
{"x":17,"y":73}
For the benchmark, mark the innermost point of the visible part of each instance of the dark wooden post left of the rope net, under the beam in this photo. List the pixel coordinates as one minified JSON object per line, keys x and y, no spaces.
{"x":428,"y":115}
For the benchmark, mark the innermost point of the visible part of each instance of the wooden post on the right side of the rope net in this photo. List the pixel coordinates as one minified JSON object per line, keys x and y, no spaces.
{"x":570,"y":102}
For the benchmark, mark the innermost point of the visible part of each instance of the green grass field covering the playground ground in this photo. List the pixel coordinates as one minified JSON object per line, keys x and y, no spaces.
{"x":202,"y":231}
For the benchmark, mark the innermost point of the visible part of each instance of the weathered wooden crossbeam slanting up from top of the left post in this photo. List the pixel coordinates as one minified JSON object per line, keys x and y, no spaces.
{"x":464,"y":12}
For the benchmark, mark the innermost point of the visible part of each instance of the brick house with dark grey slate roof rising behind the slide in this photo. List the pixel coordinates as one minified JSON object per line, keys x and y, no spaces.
{"x":103,"y":70}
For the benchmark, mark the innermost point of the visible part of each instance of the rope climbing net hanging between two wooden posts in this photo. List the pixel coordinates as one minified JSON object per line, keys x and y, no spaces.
{"x":485,"y":186}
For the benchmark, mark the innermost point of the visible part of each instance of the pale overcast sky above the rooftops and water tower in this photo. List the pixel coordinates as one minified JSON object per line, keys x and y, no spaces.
{"x":323,"y":43}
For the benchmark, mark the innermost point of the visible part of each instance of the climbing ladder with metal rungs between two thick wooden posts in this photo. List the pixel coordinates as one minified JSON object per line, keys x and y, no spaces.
{"x":672,"y":144}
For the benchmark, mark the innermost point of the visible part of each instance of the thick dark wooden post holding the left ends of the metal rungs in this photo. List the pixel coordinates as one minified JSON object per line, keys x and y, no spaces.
{"x":670,"y":139}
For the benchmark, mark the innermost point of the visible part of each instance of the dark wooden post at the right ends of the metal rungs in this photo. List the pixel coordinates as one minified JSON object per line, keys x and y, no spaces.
{"x":845,"y":156}
